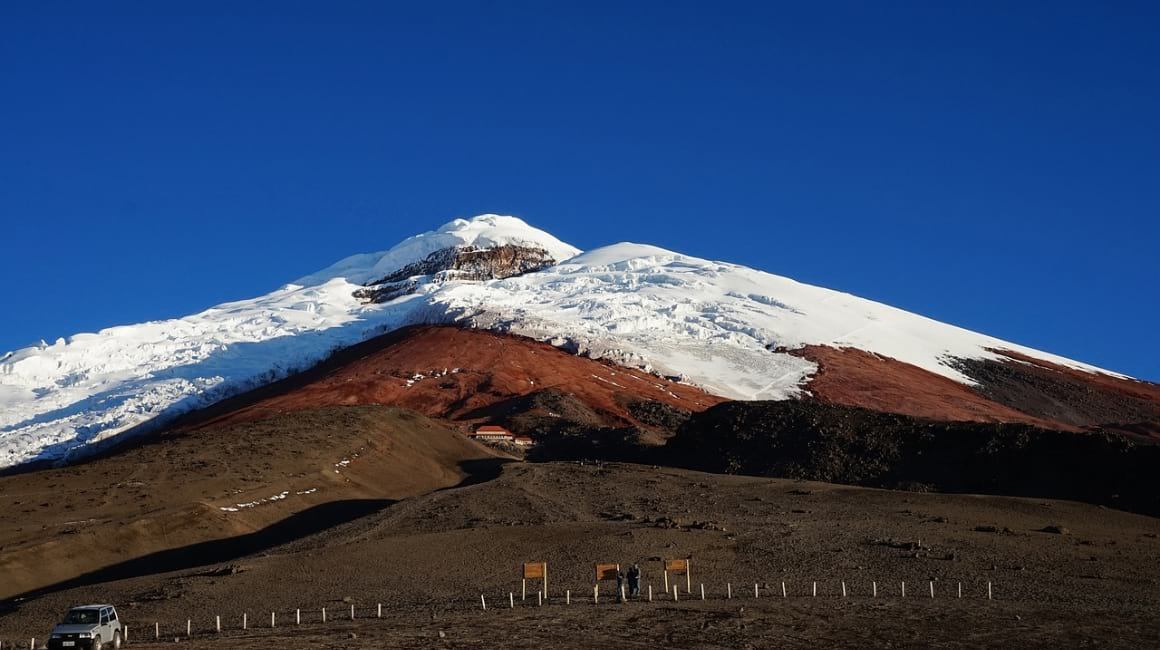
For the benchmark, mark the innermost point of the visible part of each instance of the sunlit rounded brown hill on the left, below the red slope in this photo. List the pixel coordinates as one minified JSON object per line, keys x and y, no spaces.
{"x":321,"y":466}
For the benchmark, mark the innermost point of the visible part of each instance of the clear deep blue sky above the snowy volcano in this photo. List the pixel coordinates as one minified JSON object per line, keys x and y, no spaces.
{"x":991,"y":165}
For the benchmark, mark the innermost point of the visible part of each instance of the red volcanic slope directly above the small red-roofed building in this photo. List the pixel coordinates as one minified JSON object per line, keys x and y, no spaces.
{"x":453,"y":373}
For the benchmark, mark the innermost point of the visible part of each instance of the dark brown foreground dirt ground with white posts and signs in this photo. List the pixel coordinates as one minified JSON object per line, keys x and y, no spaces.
{"x":1092,"y":582}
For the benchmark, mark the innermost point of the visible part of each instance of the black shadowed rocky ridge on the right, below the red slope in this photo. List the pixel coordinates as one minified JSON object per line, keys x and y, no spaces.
{"x":836,"y":444}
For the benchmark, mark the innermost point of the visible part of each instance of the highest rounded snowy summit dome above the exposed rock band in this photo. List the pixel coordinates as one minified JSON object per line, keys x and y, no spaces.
{"x":477,"y":234}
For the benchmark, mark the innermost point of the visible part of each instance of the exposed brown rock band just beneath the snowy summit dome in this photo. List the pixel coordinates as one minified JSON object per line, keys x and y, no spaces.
{"x":466,"y":263}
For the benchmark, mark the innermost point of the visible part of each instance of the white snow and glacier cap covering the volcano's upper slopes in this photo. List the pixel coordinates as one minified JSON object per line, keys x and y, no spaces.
{"x":722,"y":327}
